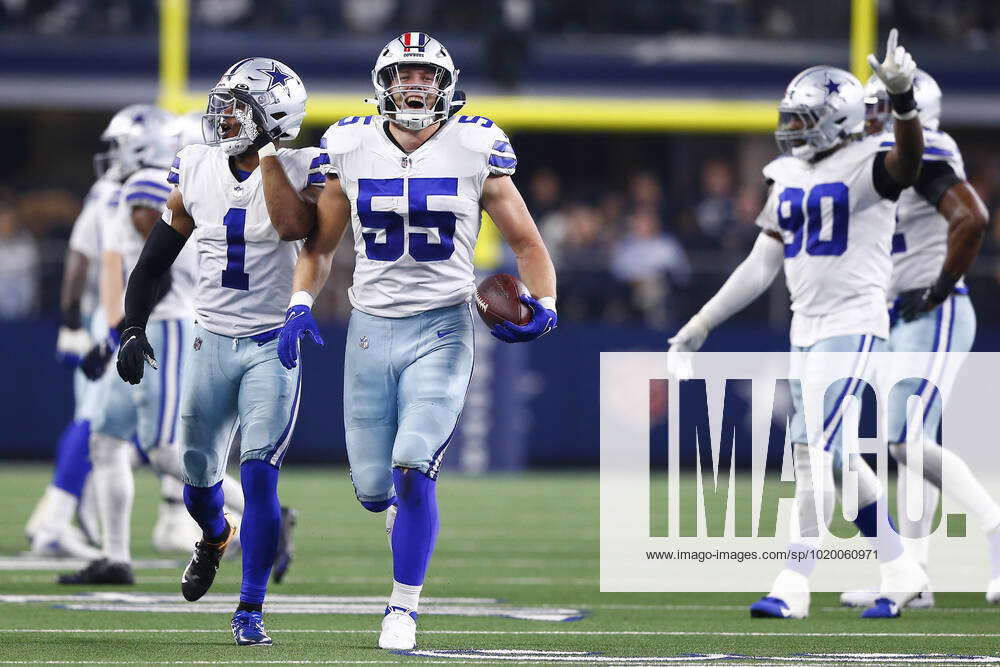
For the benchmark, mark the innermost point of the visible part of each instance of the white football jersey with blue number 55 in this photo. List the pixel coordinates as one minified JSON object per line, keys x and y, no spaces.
{"x":415,"y":216}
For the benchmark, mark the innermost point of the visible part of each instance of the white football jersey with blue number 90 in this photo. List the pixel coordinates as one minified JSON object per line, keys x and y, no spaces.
{"x":837,"y":230}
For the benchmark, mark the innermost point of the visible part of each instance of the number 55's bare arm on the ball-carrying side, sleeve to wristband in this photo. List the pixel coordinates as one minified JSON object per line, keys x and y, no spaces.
{"x":506,"y":207}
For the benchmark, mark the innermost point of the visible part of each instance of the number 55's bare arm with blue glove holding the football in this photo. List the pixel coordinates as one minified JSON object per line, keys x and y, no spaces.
{"x":506,"y":207}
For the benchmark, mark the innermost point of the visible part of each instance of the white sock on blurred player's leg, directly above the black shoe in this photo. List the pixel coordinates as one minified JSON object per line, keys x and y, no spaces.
{"x":115,"y":489}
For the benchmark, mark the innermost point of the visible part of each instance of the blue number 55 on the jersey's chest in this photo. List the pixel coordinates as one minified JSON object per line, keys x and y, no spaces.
{"x":391,"y":223}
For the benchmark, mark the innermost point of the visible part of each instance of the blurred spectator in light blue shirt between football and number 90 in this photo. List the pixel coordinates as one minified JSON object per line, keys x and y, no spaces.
{"x":649,"y":260}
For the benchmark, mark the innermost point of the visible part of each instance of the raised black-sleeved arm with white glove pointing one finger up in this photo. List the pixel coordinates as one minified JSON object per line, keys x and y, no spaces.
{"x":897,"y":71}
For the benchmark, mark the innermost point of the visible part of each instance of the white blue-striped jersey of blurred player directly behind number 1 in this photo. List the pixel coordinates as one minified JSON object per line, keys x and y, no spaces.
{"x":148,"y":188}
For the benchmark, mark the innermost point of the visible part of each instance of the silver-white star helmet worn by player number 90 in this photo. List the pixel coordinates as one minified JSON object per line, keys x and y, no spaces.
{"x":823,"y":107}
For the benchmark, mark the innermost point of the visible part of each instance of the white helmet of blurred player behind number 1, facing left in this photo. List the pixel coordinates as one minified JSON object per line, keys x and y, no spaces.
{"x":138,"y":137}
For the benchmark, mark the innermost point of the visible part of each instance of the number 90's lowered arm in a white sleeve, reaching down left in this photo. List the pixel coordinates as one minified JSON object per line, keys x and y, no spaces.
{"x":748,"y":281}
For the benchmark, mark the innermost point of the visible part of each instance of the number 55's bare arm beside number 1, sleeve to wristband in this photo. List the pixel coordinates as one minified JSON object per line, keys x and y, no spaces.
{"x":333,"y":213}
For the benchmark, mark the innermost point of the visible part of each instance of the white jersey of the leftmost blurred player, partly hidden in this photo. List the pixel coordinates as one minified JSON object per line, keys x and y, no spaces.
{"x":99,"y":206}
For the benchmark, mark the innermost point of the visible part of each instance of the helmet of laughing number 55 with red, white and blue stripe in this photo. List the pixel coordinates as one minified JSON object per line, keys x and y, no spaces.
{"x":411,"y":101}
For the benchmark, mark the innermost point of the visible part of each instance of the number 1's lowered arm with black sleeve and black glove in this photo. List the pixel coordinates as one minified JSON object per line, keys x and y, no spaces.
{"x":145,"y":286}
